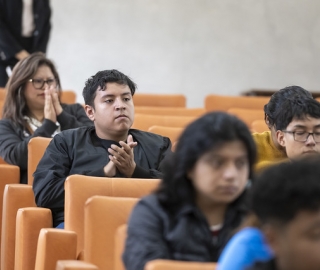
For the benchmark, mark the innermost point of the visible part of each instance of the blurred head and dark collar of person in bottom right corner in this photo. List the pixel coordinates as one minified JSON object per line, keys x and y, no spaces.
{"x":286,"y":200}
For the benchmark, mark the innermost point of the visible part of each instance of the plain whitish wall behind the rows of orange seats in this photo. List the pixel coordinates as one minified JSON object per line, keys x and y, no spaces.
{"x":193,"y":47}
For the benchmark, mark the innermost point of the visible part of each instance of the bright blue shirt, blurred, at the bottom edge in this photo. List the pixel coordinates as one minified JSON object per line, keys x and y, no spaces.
{"x":244,"y":249}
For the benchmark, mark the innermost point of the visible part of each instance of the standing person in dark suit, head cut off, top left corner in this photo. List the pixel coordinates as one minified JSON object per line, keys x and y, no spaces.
{"x":24,"y":29}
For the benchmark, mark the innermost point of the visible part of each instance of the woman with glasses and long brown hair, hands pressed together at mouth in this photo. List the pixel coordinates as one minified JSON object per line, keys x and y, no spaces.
{"x":32,"y":108}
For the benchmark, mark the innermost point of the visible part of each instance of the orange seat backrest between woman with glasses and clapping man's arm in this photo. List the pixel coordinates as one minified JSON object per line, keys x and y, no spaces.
{"x":36,"y":148}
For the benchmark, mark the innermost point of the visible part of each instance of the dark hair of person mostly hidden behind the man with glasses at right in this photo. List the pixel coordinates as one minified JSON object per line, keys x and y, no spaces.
{"x":277,"y":99}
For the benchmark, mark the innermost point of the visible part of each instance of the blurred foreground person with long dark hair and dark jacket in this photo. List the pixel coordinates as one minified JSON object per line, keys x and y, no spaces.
{"x":200,"y":199}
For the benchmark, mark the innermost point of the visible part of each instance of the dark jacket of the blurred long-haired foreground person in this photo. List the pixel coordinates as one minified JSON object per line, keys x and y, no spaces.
{"x":155,"y":233}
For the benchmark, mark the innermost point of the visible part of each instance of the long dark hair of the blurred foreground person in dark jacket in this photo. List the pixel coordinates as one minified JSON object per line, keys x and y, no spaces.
{"x":204,"y":134}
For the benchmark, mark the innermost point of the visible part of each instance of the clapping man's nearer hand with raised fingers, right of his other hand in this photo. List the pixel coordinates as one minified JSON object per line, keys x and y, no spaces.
{"x":123,"y":156}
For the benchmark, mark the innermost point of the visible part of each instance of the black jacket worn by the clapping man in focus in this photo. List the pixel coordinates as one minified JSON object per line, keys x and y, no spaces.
{"x":80,"y":151}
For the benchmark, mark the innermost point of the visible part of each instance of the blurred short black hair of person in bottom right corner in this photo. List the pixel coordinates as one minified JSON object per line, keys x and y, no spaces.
{"x":282,"y":191}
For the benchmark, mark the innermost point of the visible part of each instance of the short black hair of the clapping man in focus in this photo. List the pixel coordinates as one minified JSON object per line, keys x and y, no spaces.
{"x":99,"y":81}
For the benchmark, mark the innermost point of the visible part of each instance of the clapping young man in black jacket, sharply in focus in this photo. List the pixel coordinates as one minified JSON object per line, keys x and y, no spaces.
{"x":109,"y":149}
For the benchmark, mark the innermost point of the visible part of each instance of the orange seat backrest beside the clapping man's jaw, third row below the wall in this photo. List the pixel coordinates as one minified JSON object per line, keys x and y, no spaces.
{"x":144,"y":121}
